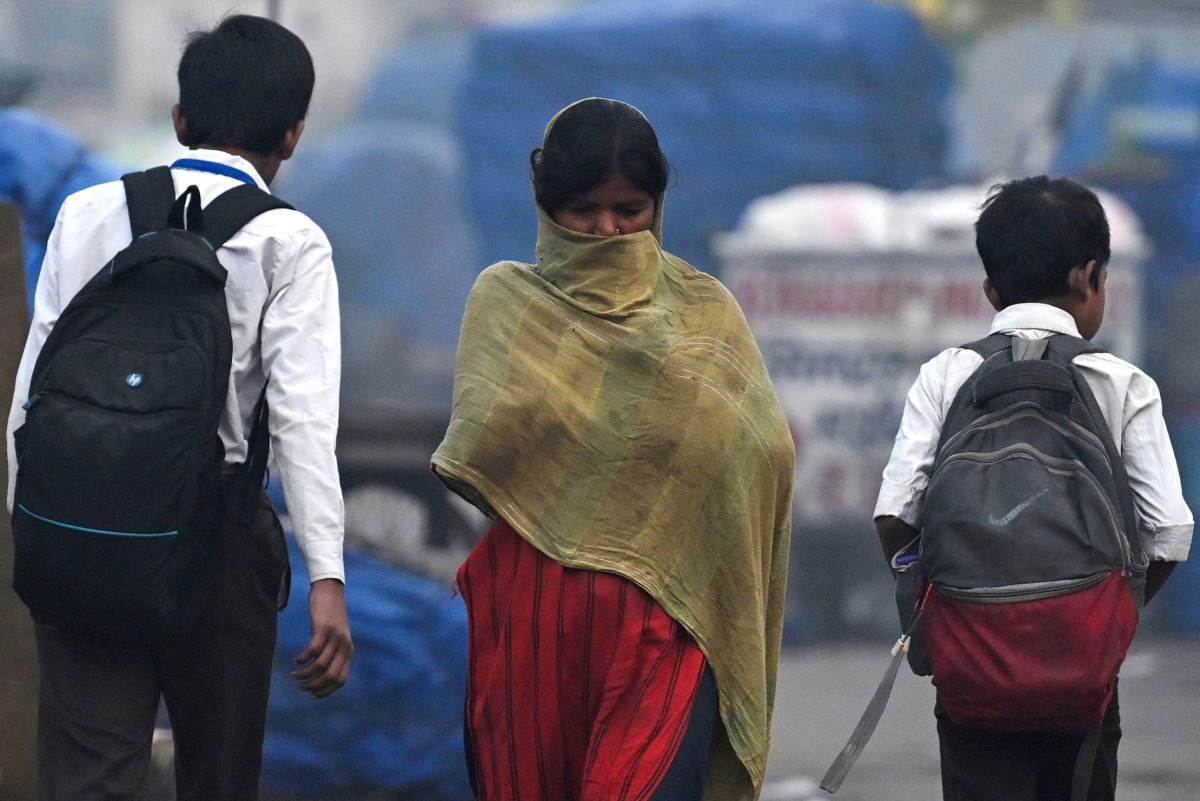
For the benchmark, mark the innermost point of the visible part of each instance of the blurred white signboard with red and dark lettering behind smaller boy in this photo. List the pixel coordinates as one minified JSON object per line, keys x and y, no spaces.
{"x":844,"y":336}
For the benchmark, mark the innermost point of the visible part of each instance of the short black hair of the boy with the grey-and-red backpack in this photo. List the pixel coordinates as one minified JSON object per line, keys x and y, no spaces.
{"x":1034,"y":232}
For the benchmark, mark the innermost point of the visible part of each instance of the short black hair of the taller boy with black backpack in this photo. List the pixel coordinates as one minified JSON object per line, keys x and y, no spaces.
{"x":244,"y":85}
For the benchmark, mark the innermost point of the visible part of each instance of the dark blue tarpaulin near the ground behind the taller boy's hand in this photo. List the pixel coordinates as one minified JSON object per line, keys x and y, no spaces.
{"x":397,"y":726}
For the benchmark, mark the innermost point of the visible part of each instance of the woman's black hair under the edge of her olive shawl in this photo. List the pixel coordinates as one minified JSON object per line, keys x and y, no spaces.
{"x":591,"y":142}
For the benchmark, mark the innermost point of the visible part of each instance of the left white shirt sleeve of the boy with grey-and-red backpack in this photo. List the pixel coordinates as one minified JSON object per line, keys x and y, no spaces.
{"x":916,"y":445}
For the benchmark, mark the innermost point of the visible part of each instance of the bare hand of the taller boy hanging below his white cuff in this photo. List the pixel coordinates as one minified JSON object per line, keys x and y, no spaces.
{"x":326,"y":664}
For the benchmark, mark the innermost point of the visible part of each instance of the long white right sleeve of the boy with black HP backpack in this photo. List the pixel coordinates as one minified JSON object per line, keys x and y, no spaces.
{"x":302,"y":360}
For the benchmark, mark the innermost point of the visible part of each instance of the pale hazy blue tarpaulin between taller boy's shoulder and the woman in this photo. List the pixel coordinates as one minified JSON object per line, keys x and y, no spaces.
{"x":389,"y":196}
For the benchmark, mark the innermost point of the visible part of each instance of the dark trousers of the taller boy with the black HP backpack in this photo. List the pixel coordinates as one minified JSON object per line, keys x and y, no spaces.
{"x":98,"y":704}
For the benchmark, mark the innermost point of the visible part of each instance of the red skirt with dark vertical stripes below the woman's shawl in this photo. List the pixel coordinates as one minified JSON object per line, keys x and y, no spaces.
{"x":580,"y":686}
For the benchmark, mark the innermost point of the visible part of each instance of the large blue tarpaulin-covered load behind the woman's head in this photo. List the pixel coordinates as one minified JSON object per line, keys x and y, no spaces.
{"x":748,"y":99}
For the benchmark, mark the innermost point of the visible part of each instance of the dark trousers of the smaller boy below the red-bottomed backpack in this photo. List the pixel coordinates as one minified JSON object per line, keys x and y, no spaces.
{"x":980,"y":766}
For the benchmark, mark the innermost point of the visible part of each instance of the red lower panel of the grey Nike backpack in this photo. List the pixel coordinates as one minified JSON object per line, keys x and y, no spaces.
{"x":1047,"y":665}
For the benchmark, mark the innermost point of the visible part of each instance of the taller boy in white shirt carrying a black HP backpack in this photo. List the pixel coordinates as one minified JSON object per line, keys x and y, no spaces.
{"x":172,"y":341}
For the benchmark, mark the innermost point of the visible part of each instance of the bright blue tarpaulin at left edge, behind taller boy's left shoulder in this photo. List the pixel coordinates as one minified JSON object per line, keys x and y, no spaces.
{"x":41,"y":164}
